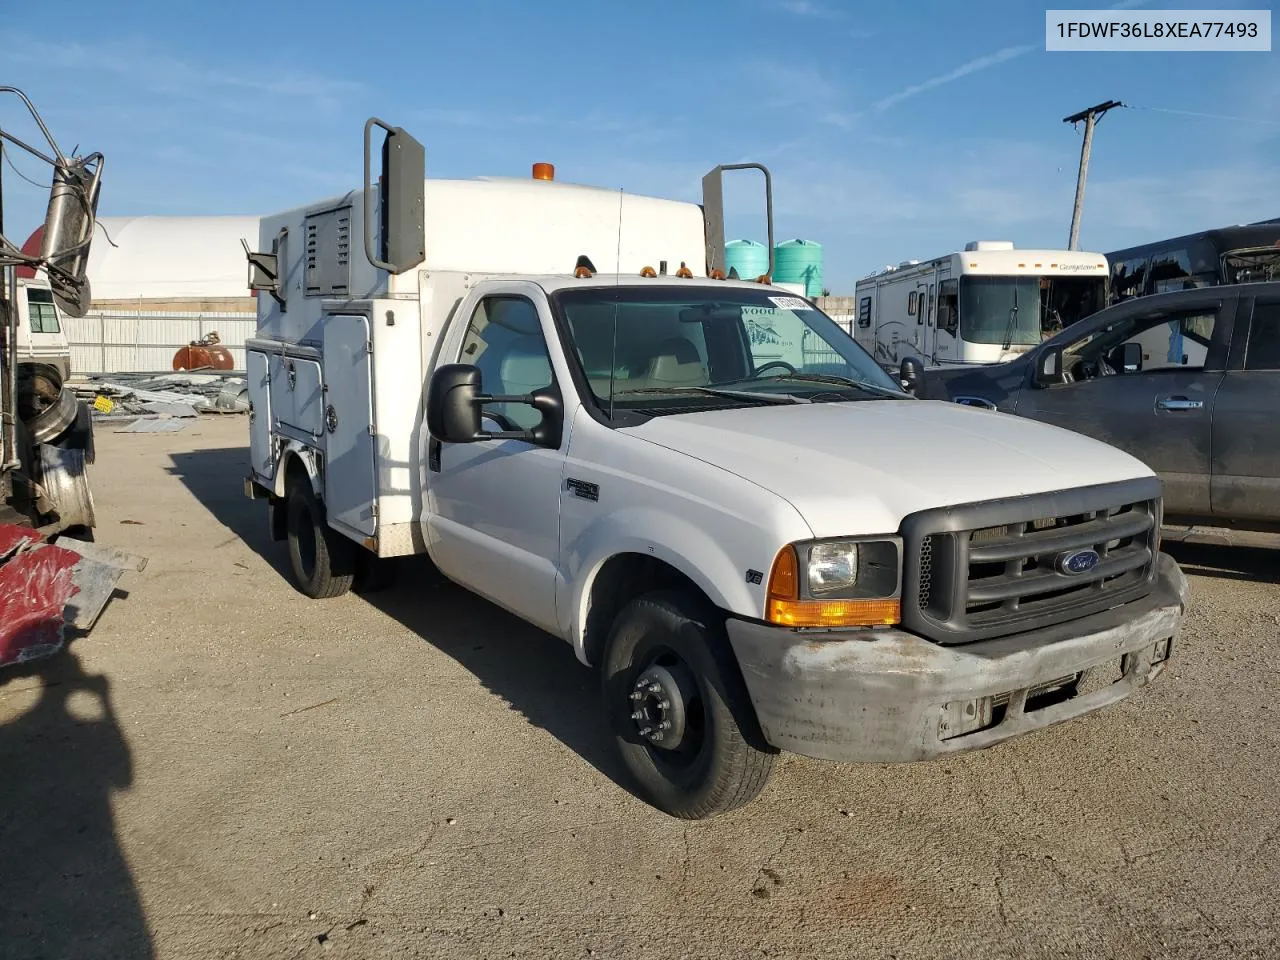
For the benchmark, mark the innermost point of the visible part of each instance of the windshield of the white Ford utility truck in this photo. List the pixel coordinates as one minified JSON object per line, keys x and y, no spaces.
{"x":671,"y":350}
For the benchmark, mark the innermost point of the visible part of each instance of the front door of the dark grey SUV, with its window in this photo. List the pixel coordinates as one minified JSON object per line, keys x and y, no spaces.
{"x":1160,"y":413}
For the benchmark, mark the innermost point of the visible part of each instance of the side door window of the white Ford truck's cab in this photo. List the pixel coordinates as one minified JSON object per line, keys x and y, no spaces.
{"x":505,"y":341}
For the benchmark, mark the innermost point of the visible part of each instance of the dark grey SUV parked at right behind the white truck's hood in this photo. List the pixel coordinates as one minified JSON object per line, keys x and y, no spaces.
{"x":1187,"y":382}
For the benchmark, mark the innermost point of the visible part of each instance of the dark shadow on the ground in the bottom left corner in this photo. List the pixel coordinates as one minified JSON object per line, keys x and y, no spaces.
{"x":66,"y":890}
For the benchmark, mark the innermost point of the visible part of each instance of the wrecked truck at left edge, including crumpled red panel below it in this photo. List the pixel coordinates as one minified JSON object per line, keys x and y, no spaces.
{"x":47,"y":433}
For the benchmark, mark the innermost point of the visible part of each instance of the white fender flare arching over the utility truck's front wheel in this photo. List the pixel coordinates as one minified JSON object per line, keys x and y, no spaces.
{"x":673,"y":540}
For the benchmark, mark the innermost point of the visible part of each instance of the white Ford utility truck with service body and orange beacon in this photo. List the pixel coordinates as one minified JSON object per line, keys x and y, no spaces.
{"x":758,"y":551}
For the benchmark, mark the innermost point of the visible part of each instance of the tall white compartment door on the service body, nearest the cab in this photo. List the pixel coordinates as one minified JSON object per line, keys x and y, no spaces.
{"x":350,"y":476}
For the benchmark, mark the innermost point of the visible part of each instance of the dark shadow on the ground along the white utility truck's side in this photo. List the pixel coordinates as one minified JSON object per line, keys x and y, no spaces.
{"x":534,"y":673}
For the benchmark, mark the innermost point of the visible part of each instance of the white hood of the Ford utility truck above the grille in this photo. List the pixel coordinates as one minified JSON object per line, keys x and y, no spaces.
{"x":861,"y":468}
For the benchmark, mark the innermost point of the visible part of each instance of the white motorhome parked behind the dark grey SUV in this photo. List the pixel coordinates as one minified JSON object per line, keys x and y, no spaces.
{"x":986,"y":304}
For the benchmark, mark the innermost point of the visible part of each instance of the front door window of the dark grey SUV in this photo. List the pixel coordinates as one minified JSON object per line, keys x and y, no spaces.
{"x":1176,"y":340}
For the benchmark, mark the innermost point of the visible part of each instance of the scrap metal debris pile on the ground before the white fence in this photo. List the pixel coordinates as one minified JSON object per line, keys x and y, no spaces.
{"x":161,"y":397}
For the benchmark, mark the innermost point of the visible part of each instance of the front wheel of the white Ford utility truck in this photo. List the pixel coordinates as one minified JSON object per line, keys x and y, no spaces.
{"x":679,"y":708}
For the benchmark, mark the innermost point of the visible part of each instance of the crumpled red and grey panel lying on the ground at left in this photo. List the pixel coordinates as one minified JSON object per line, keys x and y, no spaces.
{"x":45,"y":588}
